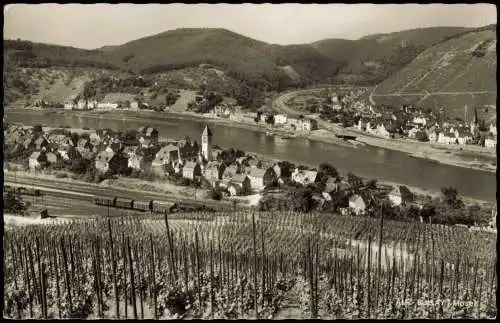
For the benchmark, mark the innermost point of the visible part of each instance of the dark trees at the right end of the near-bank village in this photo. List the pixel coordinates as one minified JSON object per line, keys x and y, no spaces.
{"x":449,"y":209}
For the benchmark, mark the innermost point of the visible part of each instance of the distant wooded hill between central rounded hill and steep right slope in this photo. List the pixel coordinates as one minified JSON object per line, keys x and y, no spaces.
{"x":371,"y":59}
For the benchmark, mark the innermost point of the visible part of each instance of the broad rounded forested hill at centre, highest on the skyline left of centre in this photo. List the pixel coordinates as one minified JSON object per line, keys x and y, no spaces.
{"x":249,"y":60}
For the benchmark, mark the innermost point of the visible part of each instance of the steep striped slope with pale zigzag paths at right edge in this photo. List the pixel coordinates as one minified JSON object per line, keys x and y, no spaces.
{"x":454,"y":73}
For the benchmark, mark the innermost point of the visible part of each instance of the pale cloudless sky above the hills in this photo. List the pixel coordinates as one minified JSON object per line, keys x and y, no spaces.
{"x":96,"y":25}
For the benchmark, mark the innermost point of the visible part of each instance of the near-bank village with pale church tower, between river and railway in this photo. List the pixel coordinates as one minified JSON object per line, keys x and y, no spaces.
{"x":223,"y":173}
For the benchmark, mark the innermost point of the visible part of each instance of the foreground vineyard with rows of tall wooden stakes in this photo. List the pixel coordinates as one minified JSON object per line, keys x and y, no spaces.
{"x":248,"y":265}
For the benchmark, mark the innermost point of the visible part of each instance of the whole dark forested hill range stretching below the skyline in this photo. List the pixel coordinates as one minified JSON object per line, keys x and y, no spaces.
{"x":263,"y":66}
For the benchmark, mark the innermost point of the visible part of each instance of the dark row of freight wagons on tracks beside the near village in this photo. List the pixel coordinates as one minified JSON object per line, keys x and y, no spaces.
{"x":146,"y":206}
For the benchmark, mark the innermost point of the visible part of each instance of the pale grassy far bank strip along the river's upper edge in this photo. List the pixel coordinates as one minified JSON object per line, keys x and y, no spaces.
{"x":467,"y":156}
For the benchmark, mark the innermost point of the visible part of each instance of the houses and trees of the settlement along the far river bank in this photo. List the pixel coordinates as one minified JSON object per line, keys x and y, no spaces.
{"x":345,"y":110}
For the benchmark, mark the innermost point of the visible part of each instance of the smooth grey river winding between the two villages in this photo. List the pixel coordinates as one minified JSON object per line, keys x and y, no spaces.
{"x":366,"y":161}
